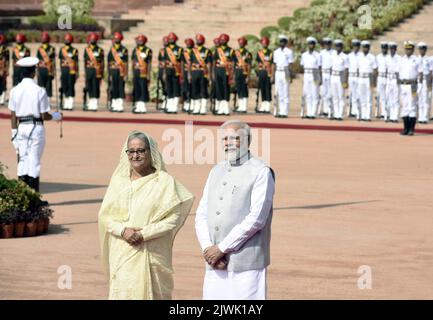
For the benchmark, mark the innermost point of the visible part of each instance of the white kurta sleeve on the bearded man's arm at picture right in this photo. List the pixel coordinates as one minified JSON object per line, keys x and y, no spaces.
{"x":261,"y":203}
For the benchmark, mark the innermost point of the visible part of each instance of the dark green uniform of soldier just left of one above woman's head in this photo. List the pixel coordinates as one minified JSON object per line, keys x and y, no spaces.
{"x":117,"y":71}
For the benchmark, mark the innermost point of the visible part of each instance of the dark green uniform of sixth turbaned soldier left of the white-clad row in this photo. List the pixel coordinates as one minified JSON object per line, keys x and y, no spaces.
{"x":173,"y":70}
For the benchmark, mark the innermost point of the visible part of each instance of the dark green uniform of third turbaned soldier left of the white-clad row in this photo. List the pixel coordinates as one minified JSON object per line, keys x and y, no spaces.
{"x":223,"y":72}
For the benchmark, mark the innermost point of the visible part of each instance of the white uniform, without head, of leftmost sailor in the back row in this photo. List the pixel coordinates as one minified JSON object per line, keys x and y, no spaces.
{"x":282,"y":59}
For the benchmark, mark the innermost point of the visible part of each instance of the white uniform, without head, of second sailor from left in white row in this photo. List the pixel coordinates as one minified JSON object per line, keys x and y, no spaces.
{"x":311,"y":62}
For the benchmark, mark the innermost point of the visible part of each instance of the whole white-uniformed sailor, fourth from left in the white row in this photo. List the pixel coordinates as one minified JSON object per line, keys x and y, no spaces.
{"x":339,"y":79}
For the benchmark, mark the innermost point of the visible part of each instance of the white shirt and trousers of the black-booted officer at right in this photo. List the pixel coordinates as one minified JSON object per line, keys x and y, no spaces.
{"x":409,"y":70}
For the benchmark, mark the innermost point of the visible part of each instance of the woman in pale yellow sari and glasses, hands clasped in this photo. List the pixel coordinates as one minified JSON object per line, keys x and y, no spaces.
{"x":143,"y":209}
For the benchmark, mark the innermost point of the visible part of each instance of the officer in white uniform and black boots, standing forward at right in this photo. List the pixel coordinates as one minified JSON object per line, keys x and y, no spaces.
{"x":409,"y":73}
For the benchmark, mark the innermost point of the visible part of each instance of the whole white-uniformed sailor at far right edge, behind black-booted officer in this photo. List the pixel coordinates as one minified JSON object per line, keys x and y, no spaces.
{"x":424,"y":87}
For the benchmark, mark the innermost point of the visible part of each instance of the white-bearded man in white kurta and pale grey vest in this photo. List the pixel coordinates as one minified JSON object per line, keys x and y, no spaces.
{"x":233,"y":221}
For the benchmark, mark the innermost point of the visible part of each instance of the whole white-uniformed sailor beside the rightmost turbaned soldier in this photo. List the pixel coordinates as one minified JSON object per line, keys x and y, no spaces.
{"x":283,"y":59}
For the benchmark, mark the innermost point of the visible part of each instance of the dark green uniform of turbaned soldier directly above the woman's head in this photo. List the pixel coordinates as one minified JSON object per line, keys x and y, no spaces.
{"x":140,"y":72}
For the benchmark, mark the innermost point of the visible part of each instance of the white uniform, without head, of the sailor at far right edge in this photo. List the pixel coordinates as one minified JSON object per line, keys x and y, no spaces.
{"x":424,"y":96}
